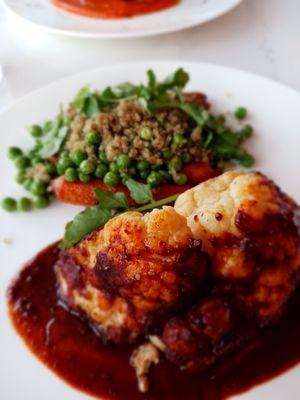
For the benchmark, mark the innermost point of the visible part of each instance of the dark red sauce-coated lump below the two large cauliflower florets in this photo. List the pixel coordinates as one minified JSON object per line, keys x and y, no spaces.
{"x":206,"y":334}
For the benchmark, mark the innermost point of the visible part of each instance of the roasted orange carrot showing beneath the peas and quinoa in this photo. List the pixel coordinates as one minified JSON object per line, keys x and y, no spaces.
{"x":83,"y":193}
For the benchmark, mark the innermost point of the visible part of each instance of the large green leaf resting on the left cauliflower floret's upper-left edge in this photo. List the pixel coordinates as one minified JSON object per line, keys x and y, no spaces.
{"x":84,"y":223}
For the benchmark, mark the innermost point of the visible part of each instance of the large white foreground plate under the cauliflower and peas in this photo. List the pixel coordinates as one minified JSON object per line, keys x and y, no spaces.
{"x":274,"y":111}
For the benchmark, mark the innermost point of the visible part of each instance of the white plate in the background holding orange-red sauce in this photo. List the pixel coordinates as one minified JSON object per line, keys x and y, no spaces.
{"x":186,"y":14}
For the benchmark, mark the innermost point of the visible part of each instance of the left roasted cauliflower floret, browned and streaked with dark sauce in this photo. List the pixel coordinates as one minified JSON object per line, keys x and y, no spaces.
{"x":128,"y":276}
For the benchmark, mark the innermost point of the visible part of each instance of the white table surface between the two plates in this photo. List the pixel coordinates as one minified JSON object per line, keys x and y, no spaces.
{"x":262,"y":36}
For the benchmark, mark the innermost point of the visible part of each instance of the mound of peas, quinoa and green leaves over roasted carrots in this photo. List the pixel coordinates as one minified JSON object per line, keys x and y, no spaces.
{"x":154,"y":133}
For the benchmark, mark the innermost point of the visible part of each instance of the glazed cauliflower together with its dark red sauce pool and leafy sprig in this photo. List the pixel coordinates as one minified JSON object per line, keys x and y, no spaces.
{"x":195,"y":297}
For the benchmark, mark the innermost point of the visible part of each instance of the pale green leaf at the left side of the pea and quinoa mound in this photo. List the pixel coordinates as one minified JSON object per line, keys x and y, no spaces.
{"x":52,"y":142}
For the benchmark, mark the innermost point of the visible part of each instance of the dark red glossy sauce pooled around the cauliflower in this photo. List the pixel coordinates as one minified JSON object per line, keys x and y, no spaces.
{"x":66,"y":344}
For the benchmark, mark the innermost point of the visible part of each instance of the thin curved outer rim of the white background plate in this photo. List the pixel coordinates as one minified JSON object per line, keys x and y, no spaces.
{"x":118,"y":35}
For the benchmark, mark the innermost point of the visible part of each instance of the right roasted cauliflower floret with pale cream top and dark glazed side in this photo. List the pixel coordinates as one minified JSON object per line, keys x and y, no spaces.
{"x":248,"y":227}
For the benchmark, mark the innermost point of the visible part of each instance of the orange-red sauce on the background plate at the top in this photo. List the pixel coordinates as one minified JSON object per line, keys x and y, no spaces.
{"x":113,"y":8}
